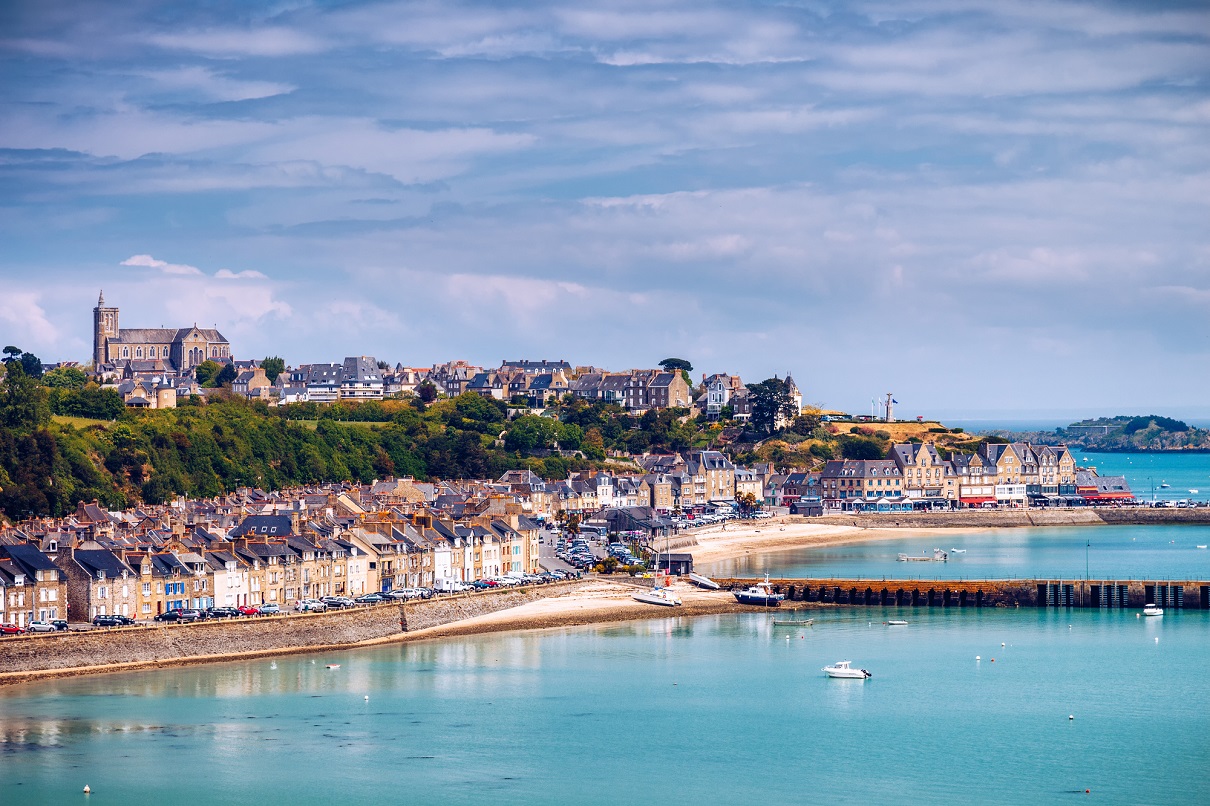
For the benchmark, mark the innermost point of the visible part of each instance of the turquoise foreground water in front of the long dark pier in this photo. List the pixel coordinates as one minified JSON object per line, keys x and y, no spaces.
{"x":682,"y":711}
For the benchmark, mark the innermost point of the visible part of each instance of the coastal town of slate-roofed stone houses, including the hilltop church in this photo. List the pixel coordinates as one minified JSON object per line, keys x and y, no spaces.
{"x":262,"y":550}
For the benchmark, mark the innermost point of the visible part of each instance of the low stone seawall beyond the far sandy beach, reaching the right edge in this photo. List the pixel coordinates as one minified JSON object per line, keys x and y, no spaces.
{"x":1001,"y":519}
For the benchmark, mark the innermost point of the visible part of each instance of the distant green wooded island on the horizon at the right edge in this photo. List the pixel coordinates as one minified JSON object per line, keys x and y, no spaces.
{"x":1122,"y":434}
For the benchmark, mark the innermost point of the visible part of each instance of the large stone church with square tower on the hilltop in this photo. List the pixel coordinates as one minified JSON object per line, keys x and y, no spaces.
{"x":174,"y":350}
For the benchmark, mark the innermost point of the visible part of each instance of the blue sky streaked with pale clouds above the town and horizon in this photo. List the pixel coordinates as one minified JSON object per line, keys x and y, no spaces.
{"x":978,"y":206}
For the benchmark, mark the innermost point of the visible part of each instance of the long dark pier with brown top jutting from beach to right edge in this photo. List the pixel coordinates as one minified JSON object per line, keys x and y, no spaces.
{"x":992,"y":594}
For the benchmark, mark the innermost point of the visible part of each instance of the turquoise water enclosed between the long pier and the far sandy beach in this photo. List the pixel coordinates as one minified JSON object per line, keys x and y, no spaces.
{"x":1059,"y":552}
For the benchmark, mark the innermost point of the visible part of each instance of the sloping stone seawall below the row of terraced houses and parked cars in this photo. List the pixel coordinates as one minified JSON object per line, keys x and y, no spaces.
{"x":93,"y":652}
